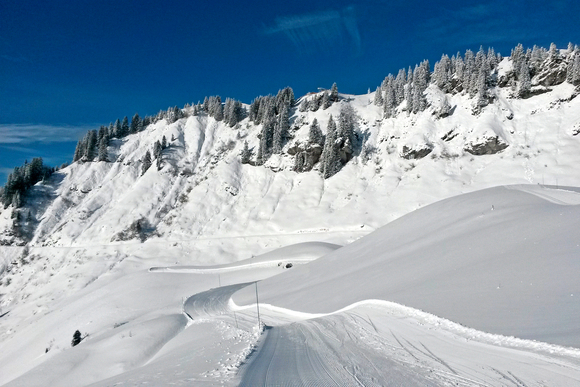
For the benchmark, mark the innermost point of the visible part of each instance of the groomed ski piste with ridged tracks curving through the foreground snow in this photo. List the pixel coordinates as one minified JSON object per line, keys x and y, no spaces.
{"x":376,"y":343}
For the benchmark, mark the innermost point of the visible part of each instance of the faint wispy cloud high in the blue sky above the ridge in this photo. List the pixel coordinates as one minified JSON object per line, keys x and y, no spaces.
{"x":320,"y":30}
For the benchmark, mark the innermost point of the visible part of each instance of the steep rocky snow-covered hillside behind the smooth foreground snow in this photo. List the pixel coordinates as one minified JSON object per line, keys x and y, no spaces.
{"x":198,"y":203}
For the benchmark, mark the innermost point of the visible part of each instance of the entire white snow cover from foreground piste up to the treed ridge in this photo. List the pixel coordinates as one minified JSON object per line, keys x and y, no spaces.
{"x":456,"y":269}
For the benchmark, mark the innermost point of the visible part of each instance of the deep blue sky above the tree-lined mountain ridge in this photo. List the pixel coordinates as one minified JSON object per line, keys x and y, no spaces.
{"x":69,"y":66}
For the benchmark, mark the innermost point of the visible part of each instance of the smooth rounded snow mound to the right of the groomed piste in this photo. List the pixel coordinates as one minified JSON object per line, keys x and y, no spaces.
{"x":502,"y":260}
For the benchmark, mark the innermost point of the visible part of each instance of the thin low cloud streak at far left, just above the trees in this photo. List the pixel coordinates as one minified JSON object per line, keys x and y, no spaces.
{"x":29,"y":133}
